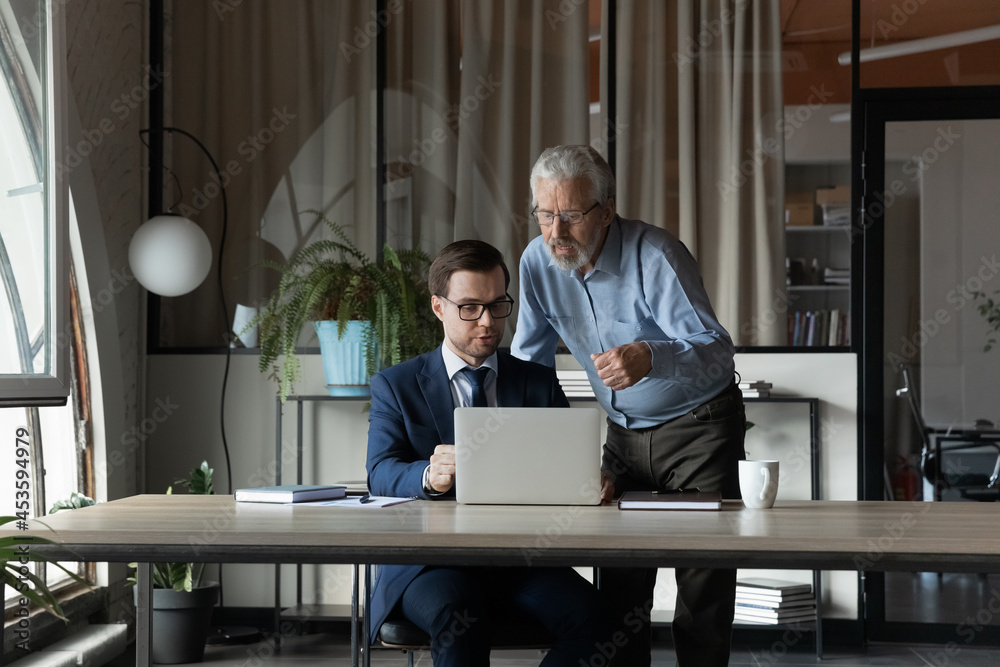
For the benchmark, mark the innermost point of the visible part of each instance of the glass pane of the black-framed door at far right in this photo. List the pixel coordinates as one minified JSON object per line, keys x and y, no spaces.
{"x":941,"y":323}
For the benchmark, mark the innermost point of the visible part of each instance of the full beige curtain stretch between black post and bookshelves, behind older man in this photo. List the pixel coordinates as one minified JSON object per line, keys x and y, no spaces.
{"x":700,"y":149}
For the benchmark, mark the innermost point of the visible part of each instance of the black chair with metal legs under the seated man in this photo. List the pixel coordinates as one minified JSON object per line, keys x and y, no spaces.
{"x":399,"y":633}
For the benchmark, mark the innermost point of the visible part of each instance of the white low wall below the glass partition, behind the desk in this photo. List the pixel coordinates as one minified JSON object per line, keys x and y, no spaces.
{"x":335,"y":437}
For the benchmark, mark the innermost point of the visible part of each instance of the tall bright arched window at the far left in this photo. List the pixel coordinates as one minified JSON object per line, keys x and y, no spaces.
{"x":37,"y":336}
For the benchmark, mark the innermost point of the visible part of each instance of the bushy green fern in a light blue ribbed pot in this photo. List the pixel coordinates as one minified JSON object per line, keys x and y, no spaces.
{"x":367,"y":316}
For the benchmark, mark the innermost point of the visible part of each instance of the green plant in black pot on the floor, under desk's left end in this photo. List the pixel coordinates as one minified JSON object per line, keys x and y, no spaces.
{"x":182,"y":603}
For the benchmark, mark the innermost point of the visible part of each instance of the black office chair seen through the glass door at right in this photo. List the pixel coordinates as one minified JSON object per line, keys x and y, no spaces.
{"x":972,"y":485}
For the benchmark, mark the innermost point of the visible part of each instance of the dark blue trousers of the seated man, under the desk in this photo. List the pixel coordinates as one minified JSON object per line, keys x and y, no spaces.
{"x":455,"y":605}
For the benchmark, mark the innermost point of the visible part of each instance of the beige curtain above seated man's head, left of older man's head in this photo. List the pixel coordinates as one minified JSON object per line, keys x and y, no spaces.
{"x":525,"y":74}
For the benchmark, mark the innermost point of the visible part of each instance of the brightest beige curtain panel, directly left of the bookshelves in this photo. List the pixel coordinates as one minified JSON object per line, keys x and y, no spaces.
{"x":731,"y":157}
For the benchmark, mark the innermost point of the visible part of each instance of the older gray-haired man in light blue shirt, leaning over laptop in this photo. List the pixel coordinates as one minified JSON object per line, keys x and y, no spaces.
{"x":627,"y":299}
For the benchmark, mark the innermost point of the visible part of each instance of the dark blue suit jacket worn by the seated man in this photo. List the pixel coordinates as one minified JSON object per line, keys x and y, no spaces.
{"x":411,"y":414}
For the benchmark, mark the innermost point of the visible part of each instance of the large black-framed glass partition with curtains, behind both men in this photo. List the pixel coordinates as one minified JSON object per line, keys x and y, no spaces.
{"x":473,"y":92}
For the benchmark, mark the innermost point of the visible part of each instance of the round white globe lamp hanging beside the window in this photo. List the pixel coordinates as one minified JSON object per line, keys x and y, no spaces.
{"x":170,"y":255}
